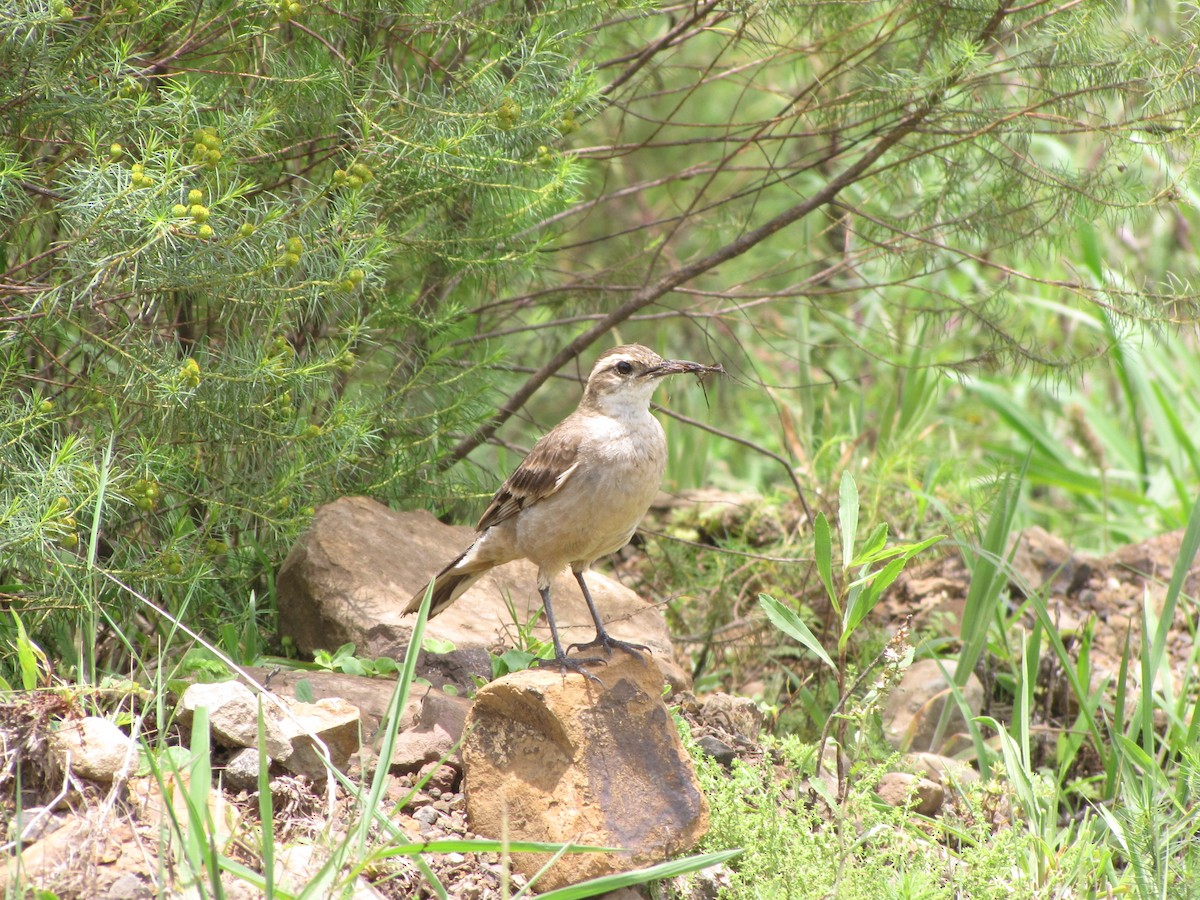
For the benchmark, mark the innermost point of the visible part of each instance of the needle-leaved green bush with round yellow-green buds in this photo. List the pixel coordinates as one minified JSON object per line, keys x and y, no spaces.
{"x":237,"y":249}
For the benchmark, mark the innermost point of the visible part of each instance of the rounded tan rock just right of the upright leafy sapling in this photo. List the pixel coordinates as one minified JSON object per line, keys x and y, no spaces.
{"x":913,"y":711}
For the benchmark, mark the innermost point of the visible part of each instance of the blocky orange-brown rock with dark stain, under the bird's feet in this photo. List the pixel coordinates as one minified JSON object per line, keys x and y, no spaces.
{"x":554,"y":758}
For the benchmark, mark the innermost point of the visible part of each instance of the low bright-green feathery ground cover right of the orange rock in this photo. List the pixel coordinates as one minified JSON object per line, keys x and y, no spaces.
{"x":869,"y":850}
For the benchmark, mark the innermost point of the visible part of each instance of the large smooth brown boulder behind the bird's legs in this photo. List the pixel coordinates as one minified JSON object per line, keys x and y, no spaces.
{"x":351,"y":575}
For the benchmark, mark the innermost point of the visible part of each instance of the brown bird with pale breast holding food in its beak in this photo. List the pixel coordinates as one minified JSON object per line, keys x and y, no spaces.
{"x":581,"y":491}
